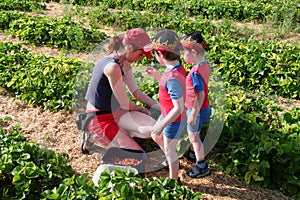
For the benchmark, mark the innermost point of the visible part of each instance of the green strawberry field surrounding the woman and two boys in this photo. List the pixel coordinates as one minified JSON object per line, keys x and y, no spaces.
{"x":254,"y":48}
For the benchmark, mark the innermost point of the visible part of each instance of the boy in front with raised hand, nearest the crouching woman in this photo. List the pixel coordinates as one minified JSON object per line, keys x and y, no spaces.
{"x":166,"y":132}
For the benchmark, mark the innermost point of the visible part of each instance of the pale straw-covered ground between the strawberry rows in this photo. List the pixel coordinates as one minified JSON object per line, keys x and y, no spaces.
{"x":57,"y":131}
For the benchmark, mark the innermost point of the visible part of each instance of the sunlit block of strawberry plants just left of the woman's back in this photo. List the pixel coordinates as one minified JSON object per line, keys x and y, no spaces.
{"x":38,"y":79}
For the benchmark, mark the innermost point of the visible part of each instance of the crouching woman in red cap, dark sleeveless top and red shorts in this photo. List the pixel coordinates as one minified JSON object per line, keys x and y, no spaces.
{"x":116,"y":115}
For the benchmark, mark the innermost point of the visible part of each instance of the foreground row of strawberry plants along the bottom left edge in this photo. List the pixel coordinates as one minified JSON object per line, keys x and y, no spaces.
{"x":31,"y":172}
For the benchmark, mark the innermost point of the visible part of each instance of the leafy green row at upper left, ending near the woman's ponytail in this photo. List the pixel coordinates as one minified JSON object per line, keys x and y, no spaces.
{"x":55,"y":32}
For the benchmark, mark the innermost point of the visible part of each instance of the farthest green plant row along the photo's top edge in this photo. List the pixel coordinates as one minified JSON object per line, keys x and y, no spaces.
{"x":242,"y":10}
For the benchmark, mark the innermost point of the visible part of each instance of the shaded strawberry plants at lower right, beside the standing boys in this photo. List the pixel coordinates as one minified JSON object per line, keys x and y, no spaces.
{"x":257,"y":146}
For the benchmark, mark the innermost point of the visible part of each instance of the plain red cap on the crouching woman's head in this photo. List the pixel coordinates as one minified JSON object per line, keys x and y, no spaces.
{"x":139,"y":38}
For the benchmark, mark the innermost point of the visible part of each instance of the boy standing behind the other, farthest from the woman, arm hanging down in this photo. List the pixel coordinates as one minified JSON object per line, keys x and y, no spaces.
{"x":197,"y":104}
